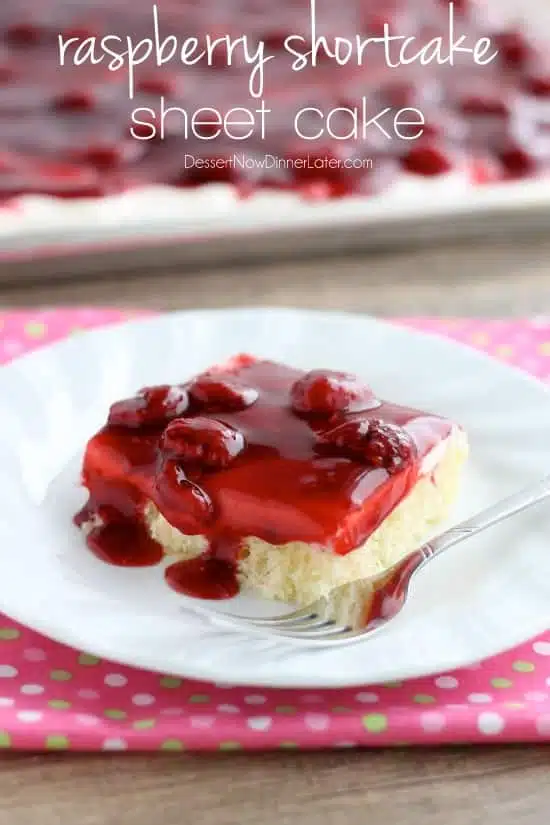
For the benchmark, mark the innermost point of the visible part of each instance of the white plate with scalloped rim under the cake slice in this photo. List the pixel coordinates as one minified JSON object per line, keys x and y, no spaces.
{"x":488,"y":595}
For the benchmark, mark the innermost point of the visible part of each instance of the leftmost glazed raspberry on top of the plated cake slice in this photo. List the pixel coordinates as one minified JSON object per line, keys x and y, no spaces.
{"x":151,"y":406}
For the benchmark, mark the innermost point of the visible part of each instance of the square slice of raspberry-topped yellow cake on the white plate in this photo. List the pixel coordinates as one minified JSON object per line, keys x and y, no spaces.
{"x":261,"y":476}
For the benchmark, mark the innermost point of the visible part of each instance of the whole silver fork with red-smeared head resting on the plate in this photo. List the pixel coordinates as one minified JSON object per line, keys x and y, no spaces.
{"x":377,"y":600}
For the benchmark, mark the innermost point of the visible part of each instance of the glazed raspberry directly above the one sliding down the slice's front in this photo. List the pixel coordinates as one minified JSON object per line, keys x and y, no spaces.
{"x":202,"y":441}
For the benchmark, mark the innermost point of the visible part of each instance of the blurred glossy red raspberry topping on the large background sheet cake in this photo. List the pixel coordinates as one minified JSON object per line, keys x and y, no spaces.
{"x":80,"y":116}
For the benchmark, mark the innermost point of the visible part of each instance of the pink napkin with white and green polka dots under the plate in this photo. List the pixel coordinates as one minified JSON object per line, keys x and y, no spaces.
{"x":53,"y":697}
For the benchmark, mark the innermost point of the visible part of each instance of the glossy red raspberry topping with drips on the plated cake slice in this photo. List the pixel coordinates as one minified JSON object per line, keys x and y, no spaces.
{"x":266,"y":470}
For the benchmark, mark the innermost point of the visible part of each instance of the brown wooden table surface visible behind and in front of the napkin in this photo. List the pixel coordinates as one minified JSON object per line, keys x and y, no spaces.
{"x":452,"y":786}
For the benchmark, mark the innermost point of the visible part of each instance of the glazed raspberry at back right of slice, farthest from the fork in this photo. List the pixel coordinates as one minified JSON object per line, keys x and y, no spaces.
{"x":325,"y":392}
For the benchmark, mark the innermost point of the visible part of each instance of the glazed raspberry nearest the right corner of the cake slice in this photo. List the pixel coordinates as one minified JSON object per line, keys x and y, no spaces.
{"x":377,"y":442}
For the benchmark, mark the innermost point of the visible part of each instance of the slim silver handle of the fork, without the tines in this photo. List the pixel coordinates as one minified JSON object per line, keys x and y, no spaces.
{"x":494,"y":514}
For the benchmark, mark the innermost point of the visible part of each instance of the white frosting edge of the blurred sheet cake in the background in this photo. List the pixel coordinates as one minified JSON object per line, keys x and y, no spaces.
{"x":215,"y":210}
